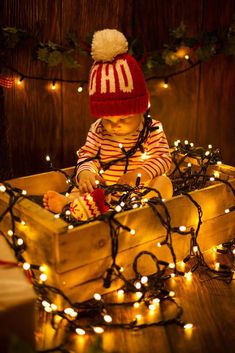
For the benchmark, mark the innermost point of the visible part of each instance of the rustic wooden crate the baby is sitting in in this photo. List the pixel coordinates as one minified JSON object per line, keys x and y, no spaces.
{"x":78,"y":258}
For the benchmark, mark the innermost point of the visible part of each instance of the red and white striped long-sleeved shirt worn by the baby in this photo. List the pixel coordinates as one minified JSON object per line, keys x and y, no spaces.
{"x":155,"y":157}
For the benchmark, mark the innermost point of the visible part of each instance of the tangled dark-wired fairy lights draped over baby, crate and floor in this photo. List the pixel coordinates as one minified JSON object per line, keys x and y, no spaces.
{"x":96,"y":314}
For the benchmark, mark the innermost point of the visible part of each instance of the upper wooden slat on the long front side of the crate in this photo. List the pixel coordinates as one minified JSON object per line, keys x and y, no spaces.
{"x":91,"y":242}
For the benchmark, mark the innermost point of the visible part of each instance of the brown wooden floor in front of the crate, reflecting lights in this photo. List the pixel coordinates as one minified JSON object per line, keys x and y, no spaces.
{"x":208,"y":304}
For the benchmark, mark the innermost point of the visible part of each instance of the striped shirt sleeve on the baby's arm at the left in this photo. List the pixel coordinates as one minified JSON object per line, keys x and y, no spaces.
{"x":90,"y":149}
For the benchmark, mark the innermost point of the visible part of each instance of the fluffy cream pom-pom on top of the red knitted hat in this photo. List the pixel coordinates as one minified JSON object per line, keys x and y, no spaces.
{"x":107,"y":44}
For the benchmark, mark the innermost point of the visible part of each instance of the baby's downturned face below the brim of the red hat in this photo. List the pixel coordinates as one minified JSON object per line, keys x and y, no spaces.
{"x":122,"y":125}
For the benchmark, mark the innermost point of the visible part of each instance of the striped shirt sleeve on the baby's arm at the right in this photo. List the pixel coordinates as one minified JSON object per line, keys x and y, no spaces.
{"x":158,"y":159}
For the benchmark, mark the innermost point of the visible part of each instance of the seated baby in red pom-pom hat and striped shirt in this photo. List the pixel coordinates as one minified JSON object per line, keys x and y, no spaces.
{"x":128,"y":143}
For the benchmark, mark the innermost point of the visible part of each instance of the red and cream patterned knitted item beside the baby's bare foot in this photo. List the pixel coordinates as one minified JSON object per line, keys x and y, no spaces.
{"x":88,"y":205}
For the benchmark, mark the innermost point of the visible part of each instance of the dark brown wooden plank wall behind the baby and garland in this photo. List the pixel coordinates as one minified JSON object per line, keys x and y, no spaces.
{"x":199,"y":105}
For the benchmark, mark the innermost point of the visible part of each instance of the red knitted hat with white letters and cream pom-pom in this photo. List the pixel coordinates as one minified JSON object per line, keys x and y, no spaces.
{"x":116,"y":83}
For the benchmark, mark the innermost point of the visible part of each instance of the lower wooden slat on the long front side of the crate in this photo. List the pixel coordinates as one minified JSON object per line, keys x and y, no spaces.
{"x":81,"y":283}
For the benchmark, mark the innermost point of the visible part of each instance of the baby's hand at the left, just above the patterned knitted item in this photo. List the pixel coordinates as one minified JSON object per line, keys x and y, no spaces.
{"x":88,"y":181}
